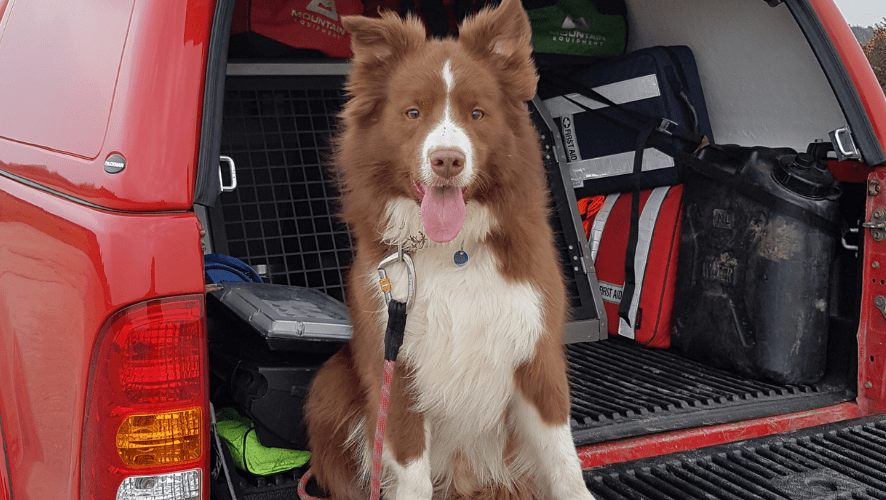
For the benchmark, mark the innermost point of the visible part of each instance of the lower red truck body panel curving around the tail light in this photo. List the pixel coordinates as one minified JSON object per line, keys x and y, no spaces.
{"x":61,"y":275}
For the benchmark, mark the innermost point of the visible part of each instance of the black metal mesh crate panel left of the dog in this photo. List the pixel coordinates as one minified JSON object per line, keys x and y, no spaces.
{"x":283,"y":213}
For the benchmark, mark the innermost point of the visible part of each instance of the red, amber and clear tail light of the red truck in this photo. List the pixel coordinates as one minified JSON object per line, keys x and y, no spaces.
{"x":145,"y":434}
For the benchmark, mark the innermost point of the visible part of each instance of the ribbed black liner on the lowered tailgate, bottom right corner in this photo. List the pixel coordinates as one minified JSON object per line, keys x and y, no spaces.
{"x":845,"y":460}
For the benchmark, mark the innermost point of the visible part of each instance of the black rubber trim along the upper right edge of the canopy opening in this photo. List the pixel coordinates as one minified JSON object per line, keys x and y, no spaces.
{"x":838,"y":77}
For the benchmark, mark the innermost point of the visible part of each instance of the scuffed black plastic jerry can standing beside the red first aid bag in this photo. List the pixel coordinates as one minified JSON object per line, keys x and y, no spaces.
{"x":756,"y":249}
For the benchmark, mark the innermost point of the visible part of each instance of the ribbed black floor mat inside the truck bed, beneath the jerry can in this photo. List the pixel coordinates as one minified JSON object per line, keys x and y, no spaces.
{"x":621,"y":389}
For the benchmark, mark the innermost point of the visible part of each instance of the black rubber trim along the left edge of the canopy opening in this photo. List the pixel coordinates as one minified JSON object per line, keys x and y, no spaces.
{"x":208,"y":185}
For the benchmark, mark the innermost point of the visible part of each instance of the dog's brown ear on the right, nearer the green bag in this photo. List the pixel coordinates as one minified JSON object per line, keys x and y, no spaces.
{"x":503,"y":36}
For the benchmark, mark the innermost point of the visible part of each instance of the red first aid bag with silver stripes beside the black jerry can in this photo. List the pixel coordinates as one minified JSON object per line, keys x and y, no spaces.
{"x":655,"y":261}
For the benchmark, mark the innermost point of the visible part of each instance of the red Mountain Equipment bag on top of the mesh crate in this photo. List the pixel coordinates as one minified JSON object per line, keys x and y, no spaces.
{"x":303,"y":24}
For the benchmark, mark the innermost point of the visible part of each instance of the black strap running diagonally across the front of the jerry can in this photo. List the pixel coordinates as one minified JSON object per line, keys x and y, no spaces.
{"x":778,"y":205}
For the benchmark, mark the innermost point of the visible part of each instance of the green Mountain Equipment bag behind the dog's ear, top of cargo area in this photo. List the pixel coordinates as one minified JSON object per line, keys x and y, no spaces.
{"x":578,"y":27}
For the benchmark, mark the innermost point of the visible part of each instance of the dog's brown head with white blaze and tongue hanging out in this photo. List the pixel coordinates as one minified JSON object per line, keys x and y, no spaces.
{"x":434,"y":120}
